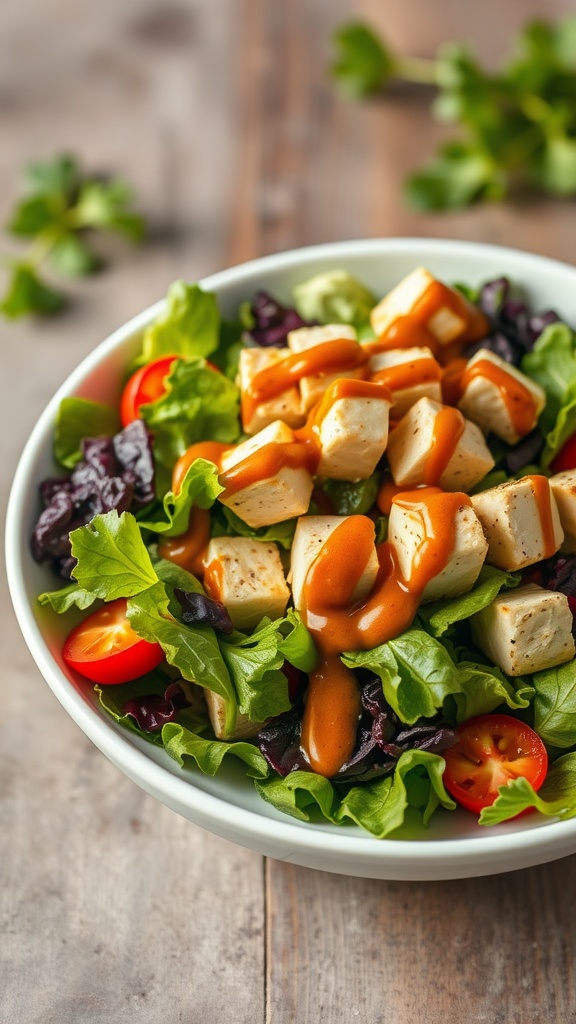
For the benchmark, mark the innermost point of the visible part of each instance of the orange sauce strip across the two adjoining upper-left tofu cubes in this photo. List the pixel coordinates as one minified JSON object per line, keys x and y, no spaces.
{"x":333,"y":357}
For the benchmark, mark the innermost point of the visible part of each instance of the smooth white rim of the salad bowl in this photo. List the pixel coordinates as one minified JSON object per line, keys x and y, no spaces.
{"x":547,"y":839}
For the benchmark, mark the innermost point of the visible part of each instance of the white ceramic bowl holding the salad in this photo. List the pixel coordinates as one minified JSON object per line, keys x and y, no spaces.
{"x":455,"y":846}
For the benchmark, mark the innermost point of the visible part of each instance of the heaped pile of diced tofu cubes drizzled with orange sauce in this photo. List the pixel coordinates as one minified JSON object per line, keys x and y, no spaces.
{"x":513,"y":526}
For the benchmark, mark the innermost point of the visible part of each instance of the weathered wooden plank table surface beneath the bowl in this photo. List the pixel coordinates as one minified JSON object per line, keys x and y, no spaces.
{"x":113,"y":910}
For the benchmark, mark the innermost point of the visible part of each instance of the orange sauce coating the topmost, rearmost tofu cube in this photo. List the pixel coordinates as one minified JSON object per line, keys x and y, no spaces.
{"x":412,"y":329}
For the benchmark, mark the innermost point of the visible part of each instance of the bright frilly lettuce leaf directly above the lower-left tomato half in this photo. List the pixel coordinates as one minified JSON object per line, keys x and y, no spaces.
{"x":112,"y":559}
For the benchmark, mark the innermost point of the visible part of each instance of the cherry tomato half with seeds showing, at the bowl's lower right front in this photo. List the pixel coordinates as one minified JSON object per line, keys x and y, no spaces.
{"x":491,"y":751}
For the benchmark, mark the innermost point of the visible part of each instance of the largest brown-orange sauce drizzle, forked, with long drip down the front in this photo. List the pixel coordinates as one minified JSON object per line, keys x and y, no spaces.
{"x":331,"y":719}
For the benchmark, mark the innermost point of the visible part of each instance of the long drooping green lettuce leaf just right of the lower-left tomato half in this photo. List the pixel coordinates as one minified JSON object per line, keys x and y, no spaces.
{"x":193,"y":651}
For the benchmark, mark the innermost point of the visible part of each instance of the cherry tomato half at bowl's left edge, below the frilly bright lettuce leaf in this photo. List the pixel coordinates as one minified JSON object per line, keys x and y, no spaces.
{"x":105,"y":649}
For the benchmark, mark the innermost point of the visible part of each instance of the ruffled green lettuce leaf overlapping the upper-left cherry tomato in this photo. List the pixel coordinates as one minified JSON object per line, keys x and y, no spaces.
{"x":200,"y":405}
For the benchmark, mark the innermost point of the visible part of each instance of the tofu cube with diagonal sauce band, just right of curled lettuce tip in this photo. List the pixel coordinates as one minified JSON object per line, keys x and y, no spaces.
{"x":273,"y":498}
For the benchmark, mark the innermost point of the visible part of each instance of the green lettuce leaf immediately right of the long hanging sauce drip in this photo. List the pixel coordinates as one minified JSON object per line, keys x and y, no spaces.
{"x":418,"y":673}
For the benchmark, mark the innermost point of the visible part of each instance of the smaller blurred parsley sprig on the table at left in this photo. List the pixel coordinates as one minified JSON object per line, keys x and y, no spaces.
{"x":61,"y":208}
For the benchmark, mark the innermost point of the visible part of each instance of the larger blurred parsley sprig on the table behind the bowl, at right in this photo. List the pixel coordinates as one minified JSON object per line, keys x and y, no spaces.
{"x":518,"y":125}
